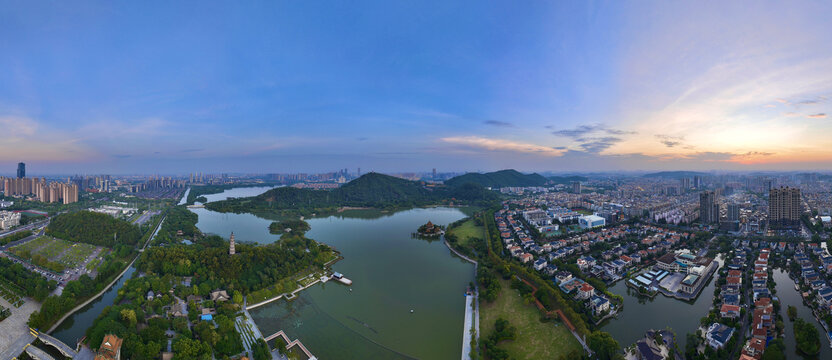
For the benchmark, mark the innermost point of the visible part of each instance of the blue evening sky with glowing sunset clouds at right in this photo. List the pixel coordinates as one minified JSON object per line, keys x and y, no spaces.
{"x":313,"y":86}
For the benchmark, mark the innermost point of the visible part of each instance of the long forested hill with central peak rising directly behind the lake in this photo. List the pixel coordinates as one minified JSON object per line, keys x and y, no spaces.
{"x":370,"y":190}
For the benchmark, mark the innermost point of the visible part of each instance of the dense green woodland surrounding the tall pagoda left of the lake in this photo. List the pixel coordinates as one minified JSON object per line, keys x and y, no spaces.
{"x":251,"y":268}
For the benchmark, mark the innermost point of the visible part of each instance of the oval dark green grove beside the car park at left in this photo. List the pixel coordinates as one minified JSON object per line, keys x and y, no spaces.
{"x":94,"y":228}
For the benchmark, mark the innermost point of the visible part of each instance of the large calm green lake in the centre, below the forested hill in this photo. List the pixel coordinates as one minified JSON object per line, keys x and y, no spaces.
{"x":392,"y":273}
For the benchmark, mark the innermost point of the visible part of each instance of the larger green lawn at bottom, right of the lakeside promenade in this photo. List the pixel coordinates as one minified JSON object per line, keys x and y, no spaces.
{"x":535,"y":339}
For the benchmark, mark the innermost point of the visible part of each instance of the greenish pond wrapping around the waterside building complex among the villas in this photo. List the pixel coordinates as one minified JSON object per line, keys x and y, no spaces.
{"x":642,"y":314}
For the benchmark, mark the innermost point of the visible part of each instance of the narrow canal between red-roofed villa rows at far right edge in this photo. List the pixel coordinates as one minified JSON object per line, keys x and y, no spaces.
{"x":789,"y":296}
